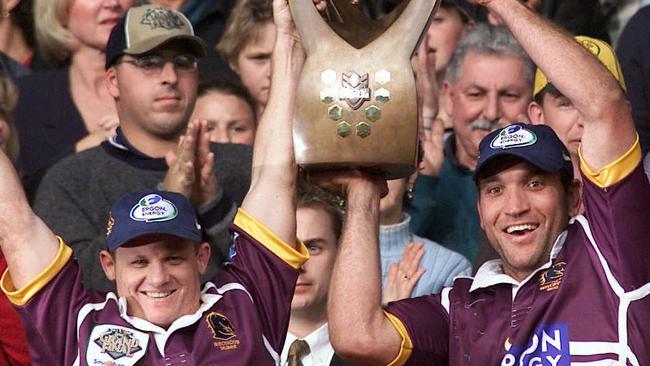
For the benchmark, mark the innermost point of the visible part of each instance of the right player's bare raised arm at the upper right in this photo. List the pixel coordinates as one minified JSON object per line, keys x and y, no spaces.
{"x":608,"y":126}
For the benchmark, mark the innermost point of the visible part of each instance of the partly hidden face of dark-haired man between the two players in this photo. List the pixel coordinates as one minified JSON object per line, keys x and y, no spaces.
{"x":314,"y":228}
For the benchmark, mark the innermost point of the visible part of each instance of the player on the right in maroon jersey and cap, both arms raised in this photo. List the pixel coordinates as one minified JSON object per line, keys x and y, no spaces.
{"x":568,"y":288}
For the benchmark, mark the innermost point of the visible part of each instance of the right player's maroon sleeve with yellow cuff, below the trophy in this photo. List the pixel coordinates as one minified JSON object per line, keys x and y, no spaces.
{"x":423,"y":324}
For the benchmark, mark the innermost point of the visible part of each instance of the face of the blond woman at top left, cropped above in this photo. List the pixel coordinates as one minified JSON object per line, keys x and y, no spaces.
{"x":90,"y":21}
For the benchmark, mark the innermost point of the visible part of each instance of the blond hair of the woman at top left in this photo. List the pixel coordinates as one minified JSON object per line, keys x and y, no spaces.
{"x":53,"y":38}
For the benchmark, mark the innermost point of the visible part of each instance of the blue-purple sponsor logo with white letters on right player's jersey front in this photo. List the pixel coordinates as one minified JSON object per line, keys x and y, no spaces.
{"x":549,"y":346}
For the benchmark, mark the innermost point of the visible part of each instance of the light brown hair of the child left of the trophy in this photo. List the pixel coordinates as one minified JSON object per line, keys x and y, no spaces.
{"x":242,"y":26}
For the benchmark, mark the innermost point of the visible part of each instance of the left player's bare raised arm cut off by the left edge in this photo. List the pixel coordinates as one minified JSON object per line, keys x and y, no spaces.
{"x":29,"y":246}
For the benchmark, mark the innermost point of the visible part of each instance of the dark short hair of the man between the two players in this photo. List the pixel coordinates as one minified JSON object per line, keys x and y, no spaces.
{"x":312,"y":196}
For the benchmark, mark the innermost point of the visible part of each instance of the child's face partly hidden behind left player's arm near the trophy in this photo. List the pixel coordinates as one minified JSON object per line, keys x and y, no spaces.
{"x":253,"y":63}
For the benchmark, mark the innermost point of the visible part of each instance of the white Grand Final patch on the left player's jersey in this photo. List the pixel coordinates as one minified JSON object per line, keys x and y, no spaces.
{"x":112,"y":344}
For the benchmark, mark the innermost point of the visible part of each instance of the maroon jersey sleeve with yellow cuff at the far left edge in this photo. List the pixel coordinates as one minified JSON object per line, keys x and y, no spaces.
{"x":49,"y":305}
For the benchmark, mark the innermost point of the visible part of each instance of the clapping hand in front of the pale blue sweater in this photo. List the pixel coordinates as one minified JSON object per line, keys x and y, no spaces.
{"x":404,"y":275}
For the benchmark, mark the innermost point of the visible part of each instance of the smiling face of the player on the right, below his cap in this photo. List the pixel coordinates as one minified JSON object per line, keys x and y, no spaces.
{"x":522,"y":211}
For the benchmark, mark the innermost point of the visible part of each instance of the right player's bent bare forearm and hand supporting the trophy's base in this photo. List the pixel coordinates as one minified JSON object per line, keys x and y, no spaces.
{"x":359,"y":329}
